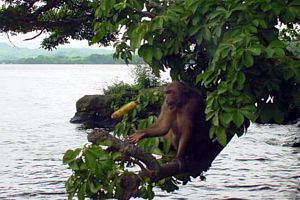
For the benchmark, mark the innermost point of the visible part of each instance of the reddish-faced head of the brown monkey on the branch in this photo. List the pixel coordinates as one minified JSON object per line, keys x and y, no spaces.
{"x":176,"y":94}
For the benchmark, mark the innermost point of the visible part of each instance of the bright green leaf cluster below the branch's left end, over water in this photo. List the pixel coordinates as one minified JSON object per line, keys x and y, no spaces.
{"x":95,"y":172}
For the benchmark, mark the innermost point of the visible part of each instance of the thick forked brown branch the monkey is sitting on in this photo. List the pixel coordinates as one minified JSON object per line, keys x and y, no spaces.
{"x":154,"y":170}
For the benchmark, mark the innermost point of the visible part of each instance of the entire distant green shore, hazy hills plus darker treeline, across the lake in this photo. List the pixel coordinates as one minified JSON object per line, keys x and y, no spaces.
{"x":15,"y":55}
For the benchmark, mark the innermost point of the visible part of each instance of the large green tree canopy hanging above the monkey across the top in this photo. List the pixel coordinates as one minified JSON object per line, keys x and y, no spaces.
{"x":242,"y":54}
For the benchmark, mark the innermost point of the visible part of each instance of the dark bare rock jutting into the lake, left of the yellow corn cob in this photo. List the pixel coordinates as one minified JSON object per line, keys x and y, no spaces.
{"x":94,"y":111}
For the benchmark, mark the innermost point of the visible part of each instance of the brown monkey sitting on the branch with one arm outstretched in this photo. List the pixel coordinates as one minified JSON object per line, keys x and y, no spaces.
{"x":181,"y":121}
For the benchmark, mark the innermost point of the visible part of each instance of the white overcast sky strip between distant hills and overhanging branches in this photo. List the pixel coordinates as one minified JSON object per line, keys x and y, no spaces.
{"x":18,"y":41}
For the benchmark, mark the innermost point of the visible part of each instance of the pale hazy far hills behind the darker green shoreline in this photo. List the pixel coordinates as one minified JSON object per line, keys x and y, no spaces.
{"x":8,"y":52}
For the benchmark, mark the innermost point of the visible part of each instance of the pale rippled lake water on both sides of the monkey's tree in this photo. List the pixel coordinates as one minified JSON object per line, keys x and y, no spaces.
{"x":37,"y":101}
